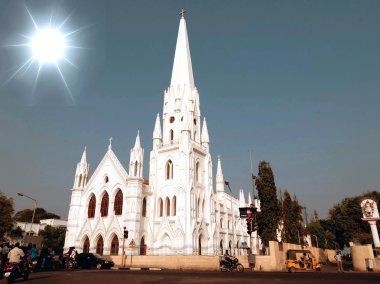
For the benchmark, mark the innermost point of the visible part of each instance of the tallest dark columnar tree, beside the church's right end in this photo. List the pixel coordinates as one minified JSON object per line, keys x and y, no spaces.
{"x":269,"y":217}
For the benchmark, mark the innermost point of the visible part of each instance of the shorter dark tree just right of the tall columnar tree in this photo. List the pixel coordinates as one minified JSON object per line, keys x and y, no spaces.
{"x":292,"y":231}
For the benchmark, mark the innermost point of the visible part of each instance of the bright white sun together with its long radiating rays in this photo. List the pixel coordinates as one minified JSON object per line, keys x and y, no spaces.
{"x":49,"y":46}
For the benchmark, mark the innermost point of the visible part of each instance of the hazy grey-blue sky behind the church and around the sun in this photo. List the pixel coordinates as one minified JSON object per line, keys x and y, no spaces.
{"x":296,"y":82}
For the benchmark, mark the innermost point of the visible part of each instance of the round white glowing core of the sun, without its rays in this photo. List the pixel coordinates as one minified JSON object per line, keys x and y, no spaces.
{"x":48,"y":46}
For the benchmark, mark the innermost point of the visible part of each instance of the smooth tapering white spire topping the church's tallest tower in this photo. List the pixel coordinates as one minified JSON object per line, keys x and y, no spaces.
{"x":182,"y":73}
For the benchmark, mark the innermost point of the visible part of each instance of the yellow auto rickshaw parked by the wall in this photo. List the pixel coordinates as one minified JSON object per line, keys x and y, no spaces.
{"x":297,"y":259}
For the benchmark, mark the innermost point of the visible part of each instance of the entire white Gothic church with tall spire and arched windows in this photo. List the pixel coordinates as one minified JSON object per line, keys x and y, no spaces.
{"x":177,"y":210}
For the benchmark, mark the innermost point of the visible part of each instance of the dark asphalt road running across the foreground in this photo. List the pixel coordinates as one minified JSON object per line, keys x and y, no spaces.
{"x":198,"y":277}
